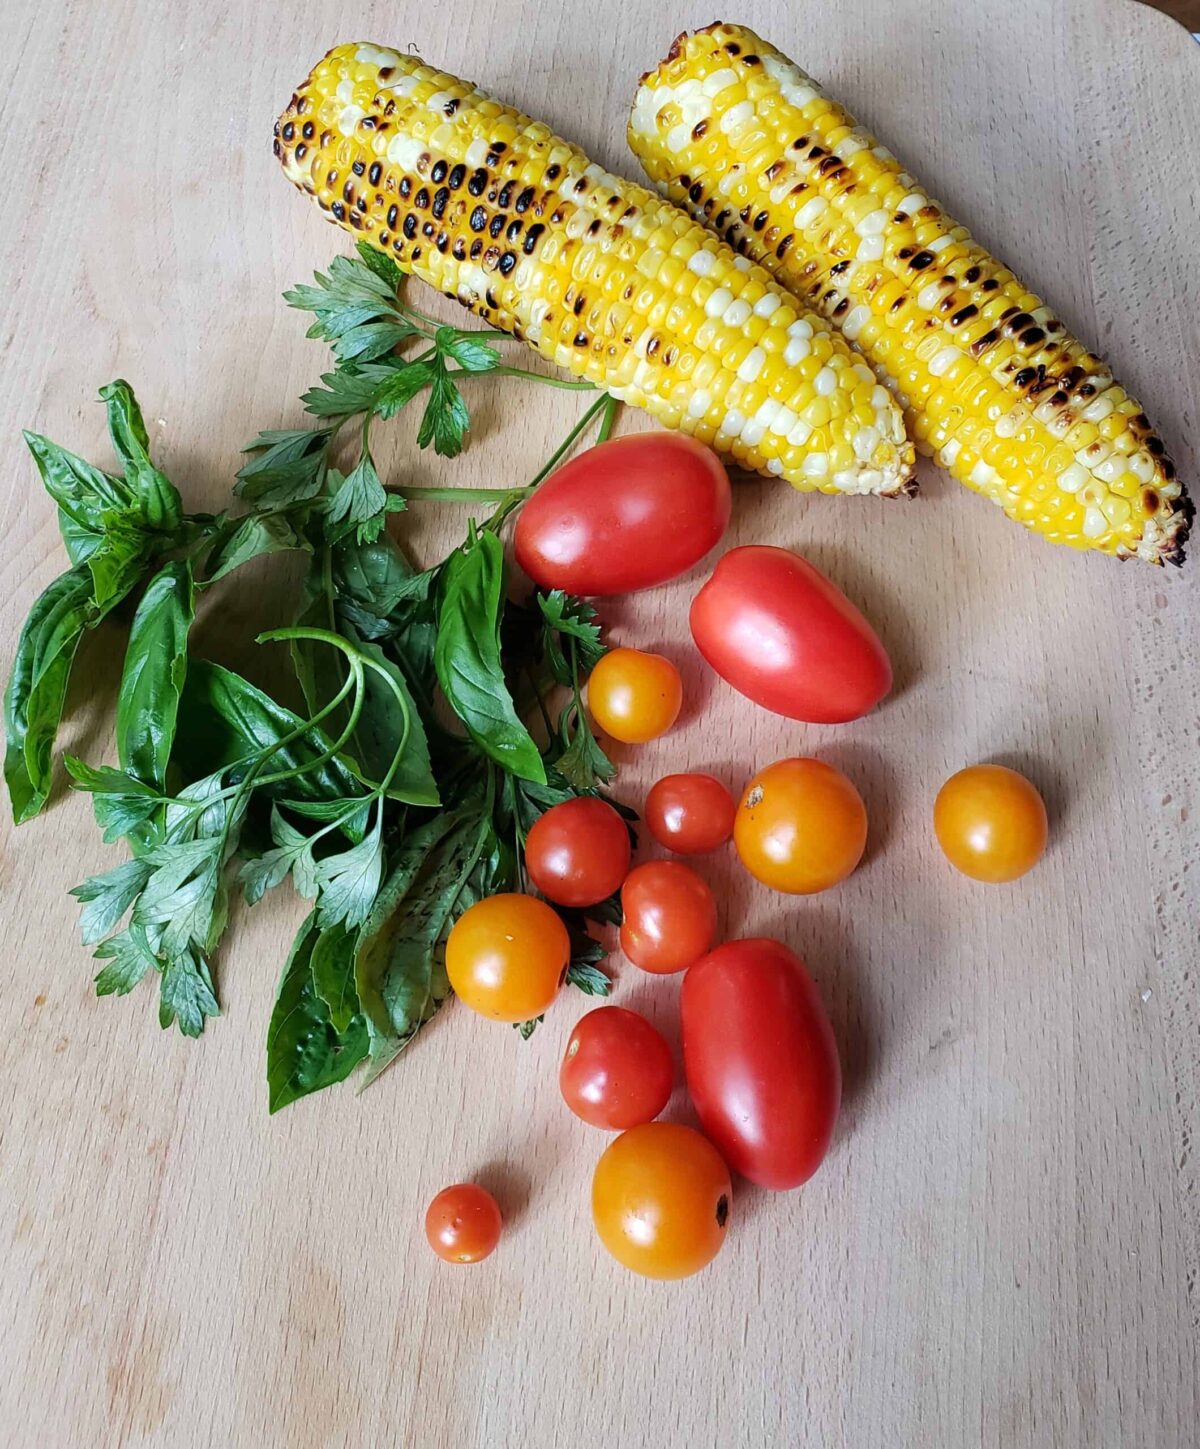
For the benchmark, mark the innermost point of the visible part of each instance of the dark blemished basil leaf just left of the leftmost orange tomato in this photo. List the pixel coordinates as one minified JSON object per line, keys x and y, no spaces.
{"x":401,"y":961}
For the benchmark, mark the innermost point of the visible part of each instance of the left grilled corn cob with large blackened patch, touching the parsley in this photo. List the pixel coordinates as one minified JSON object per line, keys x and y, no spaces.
{"x":599,"y":276}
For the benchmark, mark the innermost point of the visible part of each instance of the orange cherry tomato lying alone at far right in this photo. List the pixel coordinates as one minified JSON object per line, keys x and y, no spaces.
{"x":991,"y":822}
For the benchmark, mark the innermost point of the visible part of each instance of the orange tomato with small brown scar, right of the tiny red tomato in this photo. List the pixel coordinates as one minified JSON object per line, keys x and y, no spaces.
{"x":801,"y":827}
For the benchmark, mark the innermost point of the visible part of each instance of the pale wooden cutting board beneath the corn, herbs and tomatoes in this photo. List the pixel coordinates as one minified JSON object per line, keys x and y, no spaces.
{"x":1002,"y":1248}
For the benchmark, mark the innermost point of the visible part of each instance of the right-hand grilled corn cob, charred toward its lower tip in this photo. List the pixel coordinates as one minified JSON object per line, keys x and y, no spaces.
{"x":991,"y":380}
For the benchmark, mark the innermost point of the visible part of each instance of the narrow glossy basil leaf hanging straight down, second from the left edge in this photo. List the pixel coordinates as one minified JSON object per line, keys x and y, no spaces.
{"x":156,"y":669}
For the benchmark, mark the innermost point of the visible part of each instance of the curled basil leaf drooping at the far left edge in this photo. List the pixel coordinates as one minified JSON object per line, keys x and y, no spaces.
{"x":37,"y":689}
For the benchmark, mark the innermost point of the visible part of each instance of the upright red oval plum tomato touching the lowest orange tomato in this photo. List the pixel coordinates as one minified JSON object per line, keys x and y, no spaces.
{"x":762,"y":1061}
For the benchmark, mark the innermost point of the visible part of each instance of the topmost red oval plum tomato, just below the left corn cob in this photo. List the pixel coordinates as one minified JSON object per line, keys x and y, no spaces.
{"x":625,"y":515}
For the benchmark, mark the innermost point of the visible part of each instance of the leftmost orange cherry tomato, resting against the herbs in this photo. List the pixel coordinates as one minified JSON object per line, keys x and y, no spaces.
{"x":507,"y":957}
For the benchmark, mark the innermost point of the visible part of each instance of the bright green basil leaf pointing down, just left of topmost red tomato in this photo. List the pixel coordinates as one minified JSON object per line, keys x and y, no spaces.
{"x":467,"y":657}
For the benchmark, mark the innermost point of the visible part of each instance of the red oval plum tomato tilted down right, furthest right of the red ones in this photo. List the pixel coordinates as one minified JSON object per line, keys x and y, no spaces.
{"x":788,"y":638}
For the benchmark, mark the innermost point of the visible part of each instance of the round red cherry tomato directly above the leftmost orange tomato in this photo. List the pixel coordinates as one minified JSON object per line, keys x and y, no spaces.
{"x":578,"y":854}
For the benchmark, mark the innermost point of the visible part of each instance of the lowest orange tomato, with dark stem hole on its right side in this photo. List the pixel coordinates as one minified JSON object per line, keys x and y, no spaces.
{"x":660,"y":1200}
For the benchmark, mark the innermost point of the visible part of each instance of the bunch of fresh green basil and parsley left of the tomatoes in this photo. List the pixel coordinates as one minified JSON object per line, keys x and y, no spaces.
{"x":402,"y":790}
